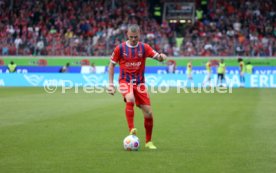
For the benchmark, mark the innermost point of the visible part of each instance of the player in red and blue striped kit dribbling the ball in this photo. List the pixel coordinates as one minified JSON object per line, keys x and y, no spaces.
{"x":131,"y":57}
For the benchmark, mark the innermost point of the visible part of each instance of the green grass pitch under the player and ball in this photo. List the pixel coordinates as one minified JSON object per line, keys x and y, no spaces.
{"x":83,"y":133}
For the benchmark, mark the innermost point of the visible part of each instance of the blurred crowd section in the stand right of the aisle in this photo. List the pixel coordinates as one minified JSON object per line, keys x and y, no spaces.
{"x":239,"y":27}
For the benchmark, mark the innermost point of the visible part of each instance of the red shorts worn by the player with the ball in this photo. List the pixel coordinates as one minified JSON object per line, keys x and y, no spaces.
{"x":139,"y":91}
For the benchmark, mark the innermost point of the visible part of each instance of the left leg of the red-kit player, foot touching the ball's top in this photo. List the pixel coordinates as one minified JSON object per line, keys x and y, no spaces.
{"x":127,"y":92}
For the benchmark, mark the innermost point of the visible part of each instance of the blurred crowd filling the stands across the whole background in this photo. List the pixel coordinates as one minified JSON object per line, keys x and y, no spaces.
{"x":94,"y":28}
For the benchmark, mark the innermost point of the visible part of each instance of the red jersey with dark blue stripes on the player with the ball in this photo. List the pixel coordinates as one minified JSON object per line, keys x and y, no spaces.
{"x":131,"y":60}
